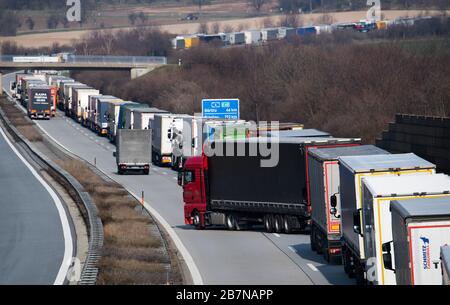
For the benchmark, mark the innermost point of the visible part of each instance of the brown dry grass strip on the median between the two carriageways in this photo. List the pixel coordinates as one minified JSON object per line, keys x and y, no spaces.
{"x":132,"y":253}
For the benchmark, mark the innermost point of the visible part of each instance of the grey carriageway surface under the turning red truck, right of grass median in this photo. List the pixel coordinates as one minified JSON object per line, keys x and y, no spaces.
{"x":219,"y":256}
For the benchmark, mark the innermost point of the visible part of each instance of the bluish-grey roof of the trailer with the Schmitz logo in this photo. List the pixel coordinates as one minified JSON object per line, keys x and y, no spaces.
{"x":422,"y":207}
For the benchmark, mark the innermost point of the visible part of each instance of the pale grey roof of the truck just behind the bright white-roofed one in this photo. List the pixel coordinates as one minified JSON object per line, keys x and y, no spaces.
{"x":382,"y":163}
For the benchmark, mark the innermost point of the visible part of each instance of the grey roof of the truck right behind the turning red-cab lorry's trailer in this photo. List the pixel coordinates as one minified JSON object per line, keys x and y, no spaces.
{"x":336,"y":152}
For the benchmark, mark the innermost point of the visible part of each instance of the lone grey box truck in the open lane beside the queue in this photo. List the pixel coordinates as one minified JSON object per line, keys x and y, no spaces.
{"x":133,"y":151}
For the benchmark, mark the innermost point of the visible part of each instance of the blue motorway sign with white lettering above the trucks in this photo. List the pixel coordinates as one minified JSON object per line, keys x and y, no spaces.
{"x":227,"y":109}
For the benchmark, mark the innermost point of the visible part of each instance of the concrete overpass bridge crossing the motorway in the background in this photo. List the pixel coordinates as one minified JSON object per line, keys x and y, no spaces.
{"x":137,"y":65}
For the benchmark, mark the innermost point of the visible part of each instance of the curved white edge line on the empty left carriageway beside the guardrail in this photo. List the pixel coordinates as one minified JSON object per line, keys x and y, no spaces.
{"x":68,"y":245}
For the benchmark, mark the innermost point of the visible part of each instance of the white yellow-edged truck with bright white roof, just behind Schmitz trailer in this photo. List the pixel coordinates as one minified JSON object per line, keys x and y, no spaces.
{"x":376,"y":226}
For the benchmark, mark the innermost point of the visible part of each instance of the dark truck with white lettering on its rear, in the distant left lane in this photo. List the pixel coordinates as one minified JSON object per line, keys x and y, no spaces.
{"x":40,"y":102}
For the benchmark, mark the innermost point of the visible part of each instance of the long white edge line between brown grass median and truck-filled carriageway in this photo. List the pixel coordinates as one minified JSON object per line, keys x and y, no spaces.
{"x":195,"y":273}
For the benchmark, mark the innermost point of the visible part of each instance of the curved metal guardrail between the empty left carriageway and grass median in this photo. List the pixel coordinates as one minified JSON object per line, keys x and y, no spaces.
{"x":95,"y":227}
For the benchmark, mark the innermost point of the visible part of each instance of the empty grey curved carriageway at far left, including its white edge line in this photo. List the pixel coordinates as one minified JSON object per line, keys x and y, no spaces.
{"x":34,"y":232}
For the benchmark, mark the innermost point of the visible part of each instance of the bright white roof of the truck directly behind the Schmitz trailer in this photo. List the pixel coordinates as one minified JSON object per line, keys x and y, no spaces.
{"x":405,"y":185}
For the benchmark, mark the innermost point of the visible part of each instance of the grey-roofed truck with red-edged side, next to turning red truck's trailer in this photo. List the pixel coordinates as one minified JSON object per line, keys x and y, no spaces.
{"x":325,"y":198}
